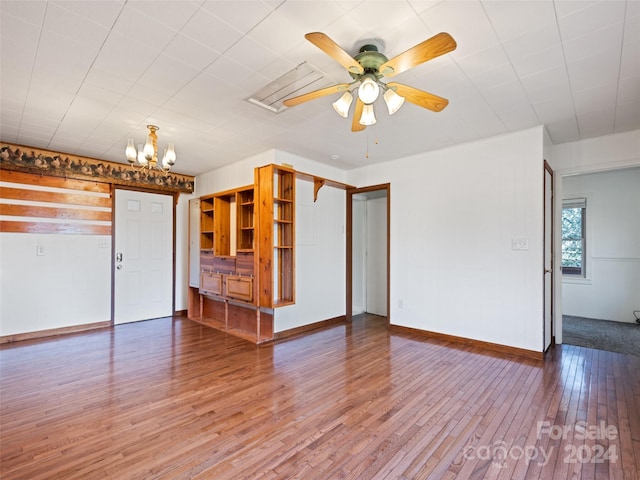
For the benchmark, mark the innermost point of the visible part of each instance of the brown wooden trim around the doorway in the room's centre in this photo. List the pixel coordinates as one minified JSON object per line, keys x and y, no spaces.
{"x":386,"y":187}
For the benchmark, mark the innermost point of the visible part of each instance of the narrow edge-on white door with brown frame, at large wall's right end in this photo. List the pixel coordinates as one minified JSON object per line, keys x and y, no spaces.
{"x":548,"y":257}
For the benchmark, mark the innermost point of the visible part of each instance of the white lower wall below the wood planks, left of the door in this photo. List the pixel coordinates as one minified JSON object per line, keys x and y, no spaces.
{"x":70,"y":284}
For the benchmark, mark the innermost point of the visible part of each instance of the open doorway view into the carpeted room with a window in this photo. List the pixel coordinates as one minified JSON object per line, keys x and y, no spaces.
{"x":602,"y":295}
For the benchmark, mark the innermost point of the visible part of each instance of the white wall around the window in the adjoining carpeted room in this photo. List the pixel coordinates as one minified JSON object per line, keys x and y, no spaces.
{"x":611,"y":287}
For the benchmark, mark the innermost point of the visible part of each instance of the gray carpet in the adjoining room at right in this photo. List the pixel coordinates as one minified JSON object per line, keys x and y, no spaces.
{"x":601,"y":334}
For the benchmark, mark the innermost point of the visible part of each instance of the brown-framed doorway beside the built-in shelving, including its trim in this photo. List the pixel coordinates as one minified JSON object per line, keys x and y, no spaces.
{"x":368,"y":220}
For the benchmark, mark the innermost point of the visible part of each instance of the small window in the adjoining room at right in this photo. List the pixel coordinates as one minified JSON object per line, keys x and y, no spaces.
{"x":573,"y":236}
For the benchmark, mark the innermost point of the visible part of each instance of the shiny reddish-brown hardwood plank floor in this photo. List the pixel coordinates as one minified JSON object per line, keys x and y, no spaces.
{"x":173,"y":399}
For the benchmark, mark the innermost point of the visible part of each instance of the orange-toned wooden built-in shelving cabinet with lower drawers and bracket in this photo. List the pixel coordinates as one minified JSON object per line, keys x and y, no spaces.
{"x":247,"y":253}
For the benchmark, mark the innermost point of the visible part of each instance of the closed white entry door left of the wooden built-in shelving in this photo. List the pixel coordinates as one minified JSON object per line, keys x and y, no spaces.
{"x":143,"y":256}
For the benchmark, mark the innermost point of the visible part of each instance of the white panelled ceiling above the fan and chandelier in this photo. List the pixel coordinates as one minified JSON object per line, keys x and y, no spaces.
{"x":80,"y":77}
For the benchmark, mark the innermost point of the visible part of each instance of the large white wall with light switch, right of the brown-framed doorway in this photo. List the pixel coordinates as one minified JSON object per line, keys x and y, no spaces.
{"x":454,"y":215}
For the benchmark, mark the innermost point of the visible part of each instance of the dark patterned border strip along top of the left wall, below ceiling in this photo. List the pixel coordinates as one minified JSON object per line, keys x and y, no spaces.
{"x":45,"y":162}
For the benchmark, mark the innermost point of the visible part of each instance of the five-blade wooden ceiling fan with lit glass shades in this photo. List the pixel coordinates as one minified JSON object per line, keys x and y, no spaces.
{"x":368,"y":68}
